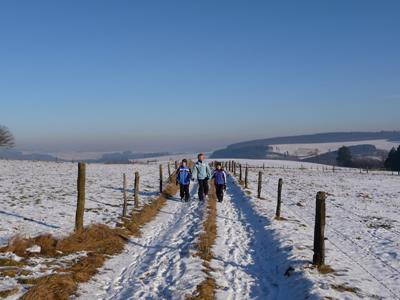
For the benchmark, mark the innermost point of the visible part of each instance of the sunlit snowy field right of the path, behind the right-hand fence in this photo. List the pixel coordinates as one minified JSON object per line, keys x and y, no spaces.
{"x":362,"y":230}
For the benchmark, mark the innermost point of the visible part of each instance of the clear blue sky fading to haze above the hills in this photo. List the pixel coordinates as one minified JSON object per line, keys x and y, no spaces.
{"x":194,"y":75}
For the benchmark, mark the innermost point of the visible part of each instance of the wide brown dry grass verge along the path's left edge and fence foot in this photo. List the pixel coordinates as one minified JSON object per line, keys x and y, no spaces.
{"x":98,"y":240}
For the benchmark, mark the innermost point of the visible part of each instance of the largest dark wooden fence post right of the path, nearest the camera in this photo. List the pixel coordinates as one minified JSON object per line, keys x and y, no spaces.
{"x":319,"y":230}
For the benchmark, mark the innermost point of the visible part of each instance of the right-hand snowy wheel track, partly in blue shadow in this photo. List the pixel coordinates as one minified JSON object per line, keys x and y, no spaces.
{"x":249,"y":262}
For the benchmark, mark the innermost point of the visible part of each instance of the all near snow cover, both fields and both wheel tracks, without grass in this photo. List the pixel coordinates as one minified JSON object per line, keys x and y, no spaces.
{"x":255,"y":256}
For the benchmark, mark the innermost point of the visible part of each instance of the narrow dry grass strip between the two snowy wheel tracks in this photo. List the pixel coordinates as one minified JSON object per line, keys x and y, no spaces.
{"x":206,"y":289}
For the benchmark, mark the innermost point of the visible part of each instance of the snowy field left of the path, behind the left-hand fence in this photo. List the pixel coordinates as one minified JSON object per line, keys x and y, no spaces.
{"x":40,"y":197}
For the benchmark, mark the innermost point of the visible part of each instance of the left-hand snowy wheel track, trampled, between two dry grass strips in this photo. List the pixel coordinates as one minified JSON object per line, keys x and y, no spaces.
{"x":157,"y":265}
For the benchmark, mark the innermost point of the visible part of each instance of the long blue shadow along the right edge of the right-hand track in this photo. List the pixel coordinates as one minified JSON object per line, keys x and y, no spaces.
{"x":271,"y":261}
